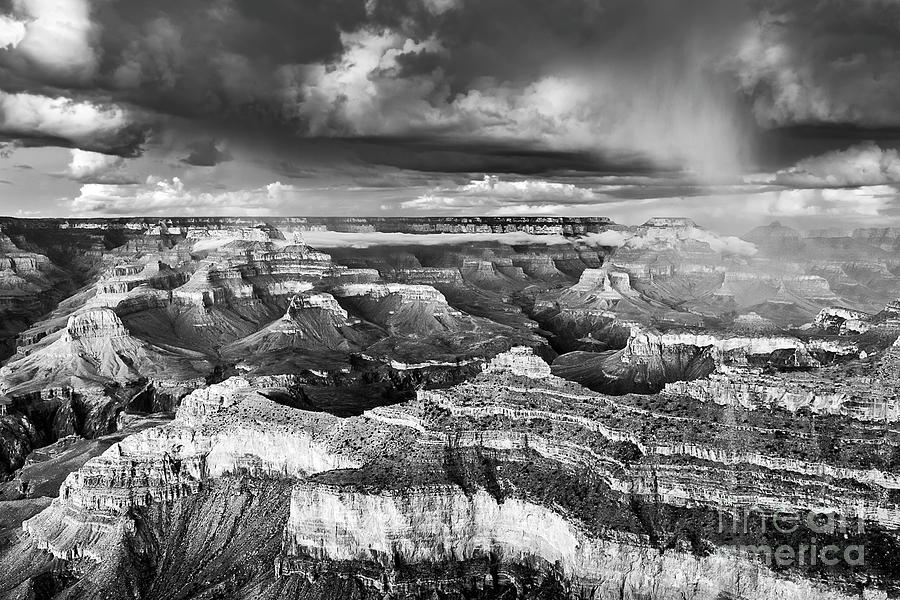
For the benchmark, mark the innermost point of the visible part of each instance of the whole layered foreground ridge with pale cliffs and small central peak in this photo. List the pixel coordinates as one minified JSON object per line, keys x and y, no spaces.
{"x":470,"y":478}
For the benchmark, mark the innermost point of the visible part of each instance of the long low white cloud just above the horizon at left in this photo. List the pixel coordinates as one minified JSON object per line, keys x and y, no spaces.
{"x":157,"y":196}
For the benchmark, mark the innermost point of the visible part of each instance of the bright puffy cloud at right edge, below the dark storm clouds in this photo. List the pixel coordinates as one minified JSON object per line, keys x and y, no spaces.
{"x":865,"y":164}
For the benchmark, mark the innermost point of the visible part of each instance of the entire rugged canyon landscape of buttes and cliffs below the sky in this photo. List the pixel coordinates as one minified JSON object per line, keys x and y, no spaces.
{"x":198,"y":408}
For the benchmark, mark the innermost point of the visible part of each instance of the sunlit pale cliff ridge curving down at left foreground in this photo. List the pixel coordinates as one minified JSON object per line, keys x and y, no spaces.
{"x":215,"y":431}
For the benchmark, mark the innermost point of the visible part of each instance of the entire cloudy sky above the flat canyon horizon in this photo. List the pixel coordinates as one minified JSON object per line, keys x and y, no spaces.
{"x":732,"y":112}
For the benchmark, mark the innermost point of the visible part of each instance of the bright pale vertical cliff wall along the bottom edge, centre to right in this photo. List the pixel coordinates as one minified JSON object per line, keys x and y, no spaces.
{"x":442,"y":524}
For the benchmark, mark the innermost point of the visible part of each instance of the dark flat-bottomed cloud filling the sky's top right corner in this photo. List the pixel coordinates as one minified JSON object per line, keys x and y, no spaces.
{"x":833,"y":62}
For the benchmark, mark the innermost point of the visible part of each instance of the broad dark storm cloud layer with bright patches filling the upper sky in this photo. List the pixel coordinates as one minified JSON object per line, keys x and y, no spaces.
{"x":524,"y":86}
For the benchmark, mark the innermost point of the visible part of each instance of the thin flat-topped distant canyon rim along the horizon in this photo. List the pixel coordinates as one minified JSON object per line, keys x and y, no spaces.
{"x":532,"y":225}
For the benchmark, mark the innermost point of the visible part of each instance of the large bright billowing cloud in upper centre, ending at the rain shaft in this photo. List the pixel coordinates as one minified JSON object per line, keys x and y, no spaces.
{"x":372,"y":90}
